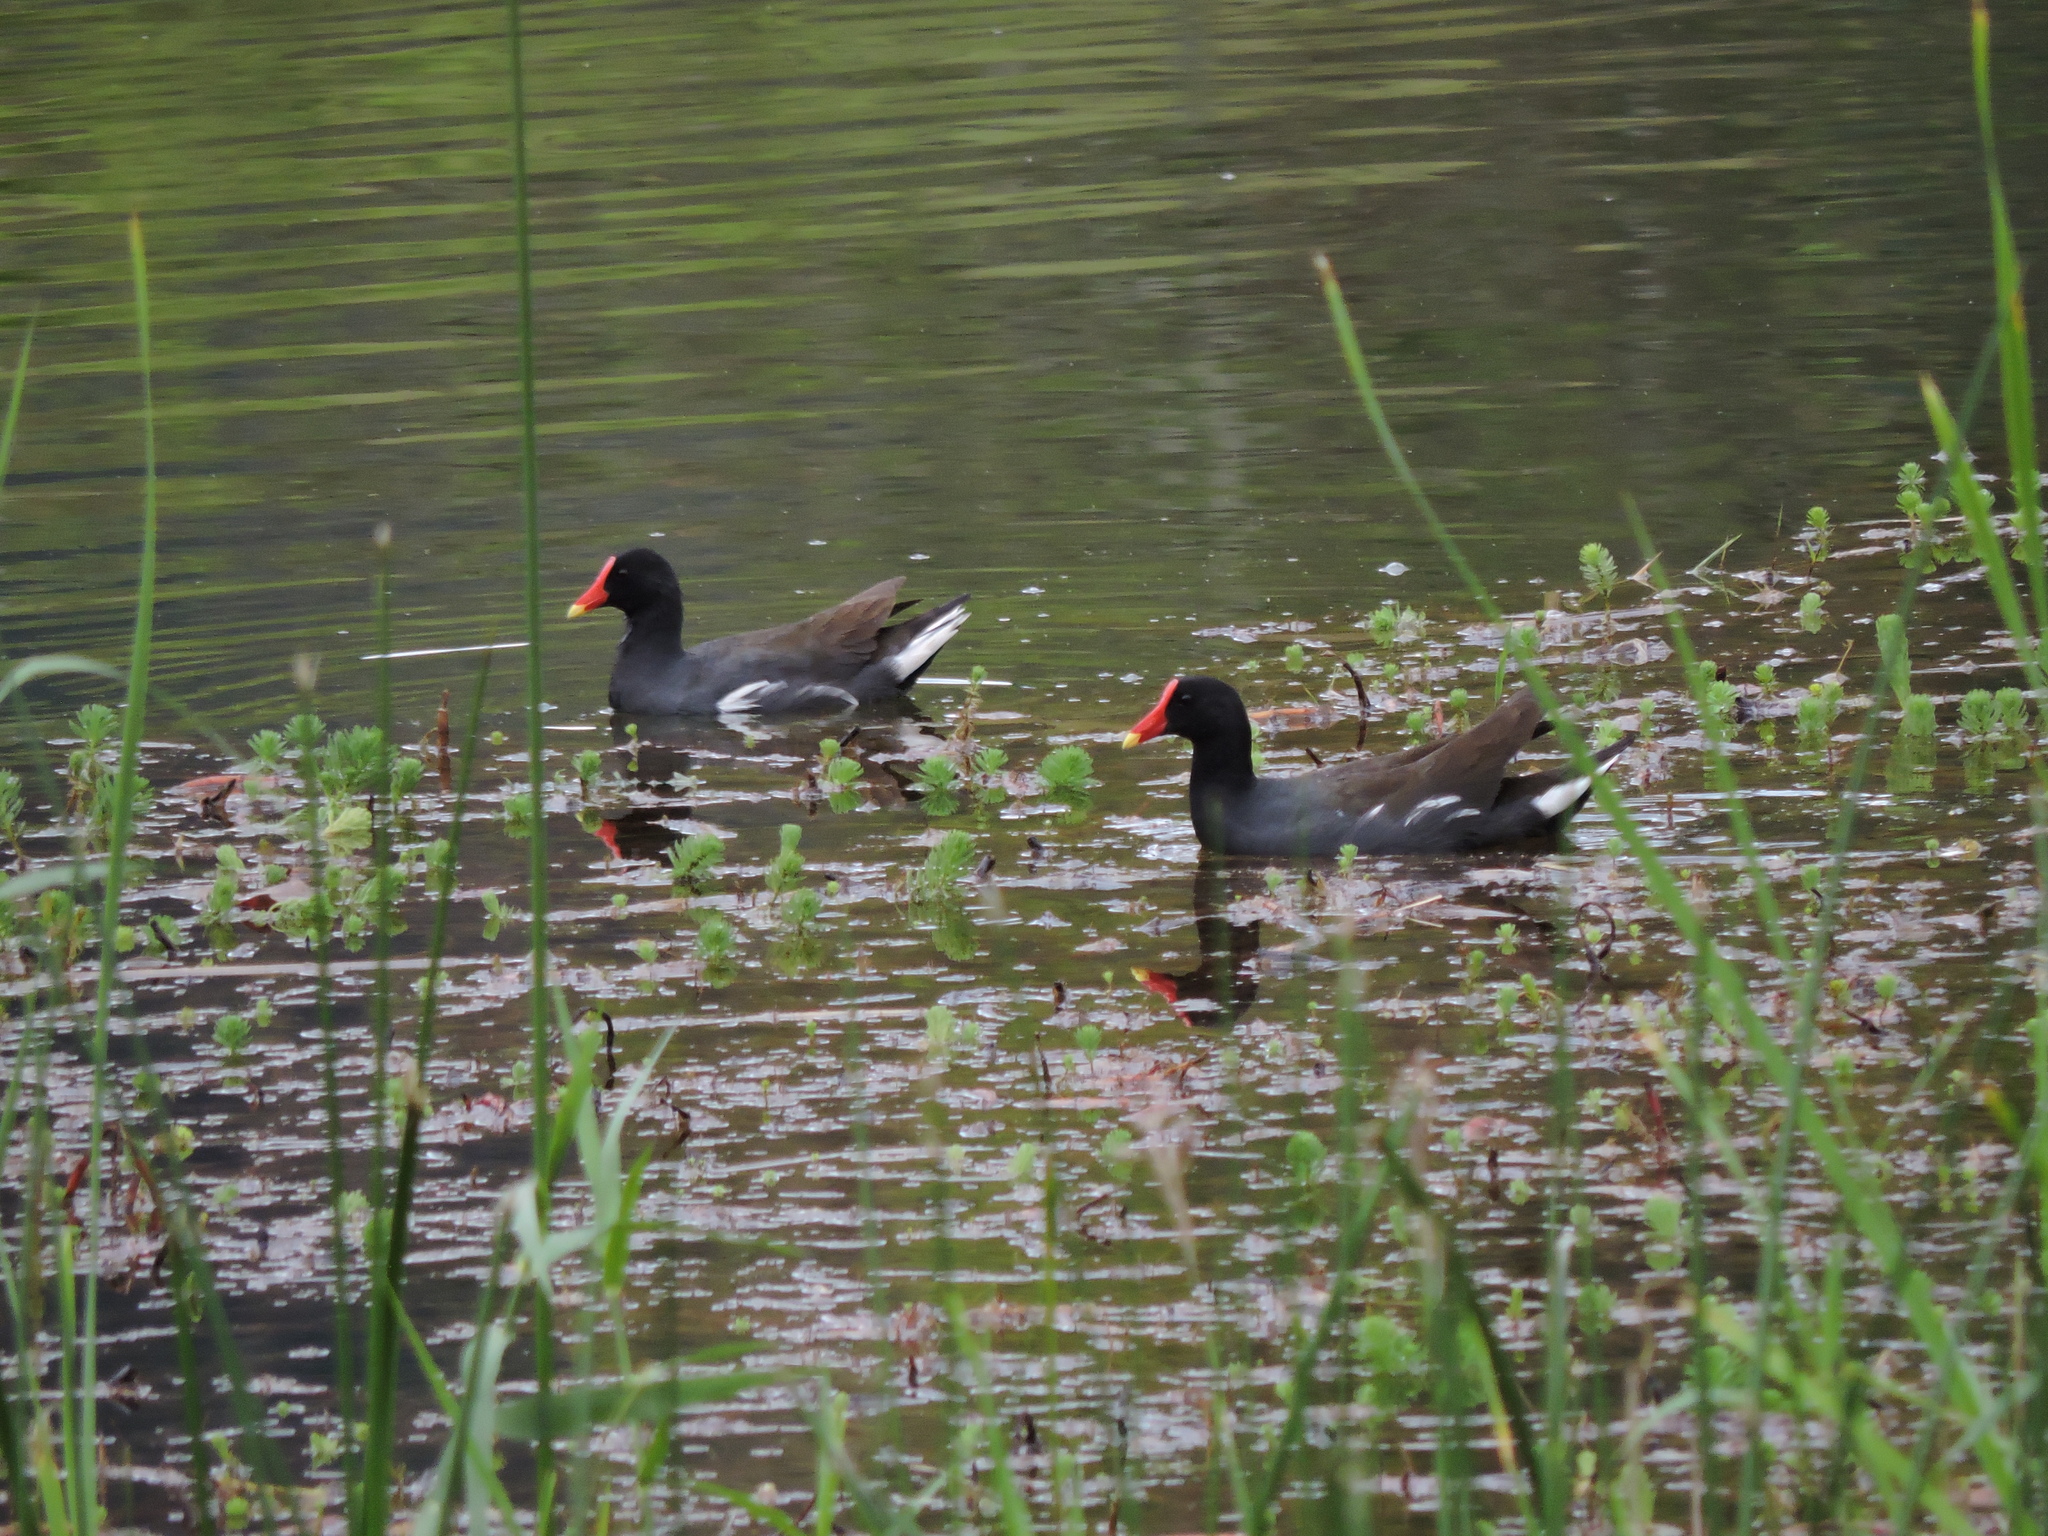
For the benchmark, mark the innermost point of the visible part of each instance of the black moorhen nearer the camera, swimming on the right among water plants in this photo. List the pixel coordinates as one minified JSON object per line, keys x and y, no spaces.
{"x":1439,"y":798}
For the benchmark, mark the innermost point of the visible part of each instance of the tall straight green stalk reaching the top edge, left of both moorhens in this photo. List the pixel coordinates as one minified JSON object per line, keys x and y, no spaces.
{"x":529,"y":460}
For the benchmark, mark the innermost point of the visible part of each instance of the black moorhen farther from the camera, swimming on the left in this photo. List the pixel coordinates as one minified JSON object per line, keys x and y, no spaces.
{"x":833,"y":660}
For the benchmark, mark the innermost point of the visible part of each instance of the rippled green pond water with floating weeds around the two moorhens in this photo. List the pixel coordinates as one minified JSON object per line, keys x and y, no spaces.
{"x":1015,"y":300}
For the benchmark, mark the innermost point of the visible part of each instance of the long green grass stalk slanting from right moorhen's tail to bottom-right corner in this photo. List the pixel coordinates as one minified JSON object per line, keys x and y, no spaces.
{"x":1863,"y":1201}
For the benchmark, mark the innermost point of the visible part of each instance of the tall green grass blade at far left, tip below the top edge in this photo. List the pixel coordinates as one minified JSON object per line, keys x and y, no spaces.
{"x":136,"y":708}
